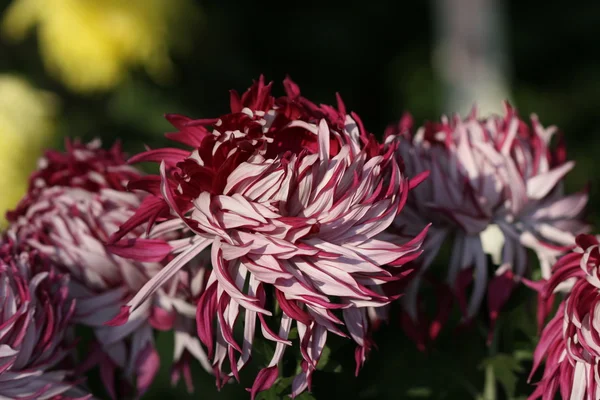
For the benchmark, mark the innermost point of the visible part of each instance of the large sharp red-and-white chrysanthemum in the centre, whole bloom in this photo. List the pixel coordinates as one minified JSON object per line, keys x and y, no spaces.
{"x":293,"y":200}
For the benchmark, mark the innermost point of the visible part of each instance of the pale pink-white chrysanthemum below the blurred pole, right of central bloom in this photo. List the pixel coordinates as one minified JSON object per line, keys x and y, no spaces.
{"x":495,"y":189}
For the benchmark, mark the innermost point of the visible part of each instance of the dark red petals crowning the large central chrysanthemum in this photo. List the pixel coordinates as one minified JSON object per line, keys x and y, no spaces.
{"x":282,"y":138}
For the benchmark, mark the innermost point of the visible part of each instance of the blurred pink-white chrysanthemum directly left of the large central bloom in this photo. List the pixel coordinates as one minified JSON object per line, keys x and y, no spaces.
{"x":76,"y":201}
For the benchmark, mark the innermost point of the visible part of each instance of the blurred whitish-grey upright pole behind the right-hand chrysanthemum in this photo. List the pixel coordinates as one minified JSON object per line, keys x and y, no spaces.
{"x":470,"y":54}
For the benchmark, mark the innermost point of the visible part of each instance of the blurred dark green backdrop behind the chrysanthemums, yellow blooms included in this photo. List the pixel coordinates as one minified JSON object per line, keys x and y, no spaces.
{"x":111,"y":69}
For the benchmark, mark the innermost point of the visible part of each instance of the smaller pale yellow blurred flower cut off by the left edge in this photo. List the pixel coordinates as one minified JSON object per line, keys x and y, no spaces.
{"x":26,"y":125}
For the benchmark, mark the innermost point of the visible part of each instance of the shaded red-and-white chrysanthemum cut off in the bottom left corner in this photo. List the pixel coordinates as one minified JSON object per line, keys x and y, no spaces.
{"x":35,"y":337}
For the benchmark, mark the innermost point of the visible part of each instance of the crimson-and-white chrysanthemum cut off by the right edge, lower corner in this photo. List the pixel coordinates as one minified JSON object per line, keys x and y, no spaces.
{"x":569,"y":343}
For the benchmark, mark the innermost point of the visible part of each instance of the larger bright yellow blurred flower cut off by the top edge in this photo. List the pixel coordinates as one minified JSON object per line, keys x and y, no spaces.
{"x":91,"y":44}
